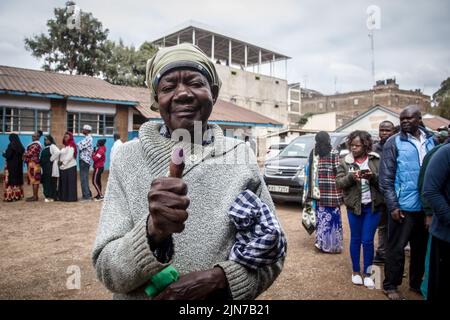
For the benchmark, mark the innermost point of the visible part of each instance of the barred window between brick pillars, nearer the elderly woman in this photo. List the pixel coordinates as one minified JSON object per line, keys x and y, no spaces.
{"x":102,"y":124}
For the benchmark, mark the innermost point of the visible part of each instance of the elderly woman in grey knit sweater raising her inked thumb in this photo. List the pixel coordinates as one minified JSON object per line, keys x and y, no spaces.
{"x":150,"y":220}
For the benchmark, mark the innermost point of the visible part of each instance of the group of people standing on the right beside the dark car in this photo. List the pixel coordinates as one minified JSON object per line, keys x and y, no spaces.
{"x":398,"y":187}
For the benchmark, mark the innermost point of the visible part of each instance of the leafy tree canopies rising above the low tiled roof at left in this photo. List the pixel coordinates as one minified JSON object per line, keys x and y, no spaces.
{"x":84,"y":48}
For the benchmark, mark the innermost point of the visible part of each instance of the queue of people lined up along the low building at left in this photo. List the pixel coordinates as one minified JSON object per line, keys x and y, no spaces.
{"x":54,"y":168}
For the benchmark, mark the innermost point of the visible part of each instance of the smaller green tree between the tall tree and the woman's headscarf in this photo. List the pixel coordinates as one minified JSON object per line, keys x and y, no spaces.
{"x":126,"y":65}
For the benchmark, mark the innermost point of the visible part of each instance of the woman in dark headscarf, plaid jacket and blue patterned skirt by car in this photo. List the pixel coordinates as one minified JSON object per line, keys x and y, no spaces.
{"x":321,"y":198}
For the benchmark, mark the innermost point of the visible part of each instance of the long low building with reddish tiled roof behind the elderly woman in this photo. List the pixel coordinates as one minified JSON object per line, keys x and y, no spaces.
{"x":32,"y":100}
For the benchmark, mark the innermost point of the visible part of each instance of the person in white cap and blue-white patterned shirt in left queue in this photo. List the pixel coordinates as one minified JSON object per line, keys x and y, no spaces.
{"x":86,"y":148}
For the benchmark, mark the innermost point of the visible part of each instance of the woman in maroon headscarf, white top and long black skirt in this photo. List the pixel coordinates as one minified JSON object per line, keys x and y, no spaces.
{"x":67,"y":188}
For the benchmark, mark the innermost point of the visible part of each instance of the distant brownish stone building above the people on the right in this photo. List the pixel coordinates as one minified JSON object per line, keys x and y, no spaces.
{"x":349,"y":105}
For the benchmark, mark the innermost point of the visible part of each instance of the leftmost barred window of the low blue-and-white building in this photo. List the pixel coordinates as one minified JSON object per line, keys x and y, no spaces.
{"x":23,"y":120}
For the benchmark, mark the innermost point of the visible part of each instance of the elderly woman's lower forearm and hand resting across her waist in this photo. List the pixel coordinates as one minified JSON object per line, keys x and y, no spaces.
{"x":198,"y":285}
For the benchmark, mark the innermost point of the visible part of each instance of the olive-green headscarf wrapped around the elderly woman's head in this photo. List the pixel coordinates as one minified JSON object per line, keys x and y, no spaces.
{"x":182,"y":56}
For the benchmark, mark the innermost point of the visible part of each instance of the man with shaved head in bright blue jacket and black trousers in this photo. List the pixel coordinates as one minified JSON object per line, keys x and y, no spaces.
{"x":400,"y":165}
